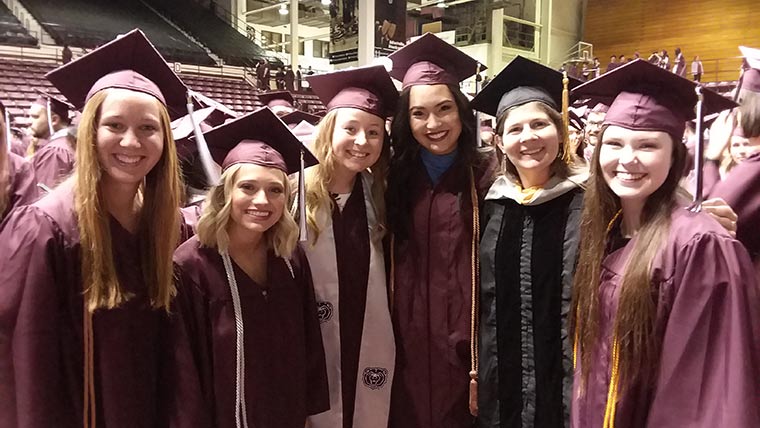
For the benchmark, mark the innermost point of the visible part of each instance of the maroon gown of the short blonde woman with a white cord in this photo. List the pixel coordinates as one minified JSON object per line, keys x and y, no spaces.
{"x":286,"y":379}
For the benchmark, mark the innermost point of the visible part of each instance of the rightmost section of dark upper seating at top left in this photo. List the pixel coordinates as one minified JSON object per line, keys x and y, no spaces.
{"x":223,"y":40}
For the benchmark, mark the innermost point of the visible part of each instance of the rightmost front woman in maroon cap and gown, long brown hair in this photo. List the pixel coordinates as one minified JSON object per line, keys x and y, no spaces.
{"x":667,"y":306}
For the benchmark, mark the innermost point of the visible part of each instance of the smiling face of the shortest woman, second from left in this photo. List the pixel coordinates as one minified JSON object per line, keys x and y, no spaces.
{"x":257,"y":200}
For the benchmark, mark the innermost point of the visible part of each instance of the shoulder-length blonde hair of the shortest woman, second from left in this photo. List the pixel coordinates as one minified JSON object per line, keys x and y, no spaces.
{"x":212,"y":226}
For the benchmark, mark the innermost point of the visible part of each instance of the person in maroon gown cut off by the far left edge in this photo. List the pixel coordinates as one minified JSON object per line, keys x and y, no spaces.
{"x":18,"y":185}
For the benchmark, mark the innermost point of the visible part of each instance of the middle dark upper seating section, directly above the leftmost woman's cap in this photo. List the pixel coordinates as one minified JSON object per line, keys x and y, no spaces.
{"x":90,"y":23}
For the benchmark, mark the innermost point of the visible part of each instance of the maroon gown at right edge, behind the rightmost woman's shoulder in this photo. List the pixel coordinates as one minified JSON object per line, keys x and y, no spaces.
{"x":740,"y":190}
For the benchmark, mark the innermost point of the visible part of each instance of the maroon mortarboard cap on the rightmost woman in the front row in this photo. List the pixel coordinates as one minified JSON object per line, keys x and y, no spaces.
{"x":650,"y":98}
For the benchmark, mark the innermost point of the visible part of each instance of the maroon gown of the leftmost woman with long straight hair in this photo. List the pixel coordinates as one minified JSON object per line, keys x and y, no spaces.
{"x":41,"y":318}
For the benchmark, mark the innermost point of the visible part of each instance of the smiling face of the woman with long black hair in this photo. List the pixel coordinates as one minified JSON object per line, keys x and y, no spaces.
{"x":434,"y":118}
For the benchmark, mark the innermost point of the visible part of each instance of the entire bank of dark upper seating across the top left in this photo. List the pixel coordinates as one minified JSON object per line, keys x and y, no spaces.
{"x":90,"y":23}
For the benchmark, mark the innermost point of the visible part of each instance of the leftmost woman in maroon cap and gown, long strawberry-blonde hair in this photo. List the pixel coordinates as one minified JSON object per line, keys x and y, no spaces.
{"x":86,"y":272}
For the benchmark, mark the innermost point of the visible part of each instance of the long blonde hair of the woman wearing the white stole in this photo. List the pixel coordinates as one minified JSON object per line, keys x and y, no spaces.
{"x":318,"y":178}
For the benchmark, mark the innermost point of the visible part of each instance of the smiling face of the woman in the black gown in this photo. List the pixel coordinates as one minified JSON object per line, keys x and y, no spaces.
{"x":531,"y":141}
